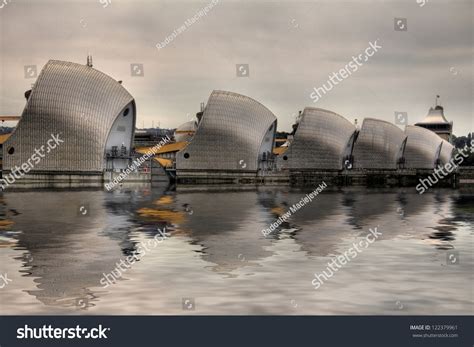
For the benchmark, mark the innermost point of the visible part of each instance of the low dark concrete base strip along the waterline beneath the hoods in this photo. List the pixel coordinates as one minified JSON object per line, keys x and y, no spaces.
{"x":373,"y":178}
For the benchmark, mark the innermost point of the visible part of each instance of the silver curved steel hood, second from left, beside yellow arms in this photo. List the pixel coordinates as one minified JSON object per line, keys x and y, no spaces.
{"x":231,"y":135}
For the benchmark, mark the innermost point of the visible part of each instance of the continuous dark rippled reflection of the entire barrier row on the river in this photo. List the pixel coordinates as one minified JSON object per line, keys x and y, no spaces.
{"x":64,"y":241}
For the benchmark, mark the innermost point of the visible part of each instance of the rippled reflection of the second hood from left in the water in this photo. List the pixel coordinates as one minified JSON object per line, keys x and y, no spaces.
{"x":227,"y":225}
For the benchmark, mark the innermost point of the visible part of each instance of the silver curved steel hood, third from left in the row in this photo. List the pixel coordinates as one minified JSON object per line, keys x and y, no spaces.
{"x":319,"y":142}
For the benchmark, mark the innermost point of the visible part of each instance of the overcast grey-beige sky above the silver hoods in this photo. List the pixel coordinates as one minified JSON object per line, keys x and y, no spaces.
{"x":290,"y":46}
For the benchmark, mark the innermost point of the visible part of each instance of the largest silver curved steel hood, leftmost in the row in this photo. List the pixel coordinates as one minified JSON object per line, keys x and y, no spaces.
{"x":80,"y":104}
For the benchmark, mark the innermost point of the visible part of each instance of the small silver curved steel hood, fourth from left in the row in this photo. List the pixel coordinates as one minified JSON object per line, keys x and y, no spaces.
{"x":378,"y":145}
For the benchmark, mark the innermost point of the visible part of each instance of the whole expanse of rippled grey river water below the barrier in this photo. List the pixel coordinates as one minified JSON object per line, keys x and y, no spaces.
{"x":56,"y":246}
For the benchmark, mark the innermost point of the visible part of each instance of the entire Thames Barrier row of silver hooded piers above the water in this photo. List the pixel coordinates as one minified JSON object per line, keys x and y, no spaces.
{"x":231,"y":140}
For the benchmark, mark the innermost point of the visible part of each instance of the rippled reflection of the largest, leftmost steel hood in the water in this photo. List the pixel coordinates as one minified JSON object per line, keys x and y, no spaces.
{"x":62,"y":243}
